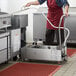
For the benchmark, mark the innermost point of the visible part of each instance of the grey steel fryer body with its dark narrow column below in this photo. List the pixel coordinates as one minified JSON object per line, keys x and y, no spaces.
{"x":20,"y":21}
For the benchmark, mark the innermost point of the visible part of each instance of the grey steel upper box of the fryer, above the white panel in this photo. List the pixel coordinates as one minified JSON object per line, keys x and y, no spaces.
{"x":19,"y":21}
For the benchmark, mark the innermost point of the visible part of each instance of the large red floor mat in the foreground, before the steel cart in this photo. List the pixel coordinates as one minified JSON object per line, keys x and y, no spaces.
{"x":28,"y":69}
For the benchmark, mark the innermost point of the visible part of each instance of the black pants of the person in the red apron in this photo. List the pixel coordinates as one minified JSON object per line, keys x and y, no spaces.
{"x":50,"y":34}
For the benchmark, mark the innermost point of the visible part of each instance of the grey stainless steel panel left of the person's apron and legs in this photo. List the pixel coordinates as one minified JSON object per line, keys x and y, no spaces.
{"x":39,"y":27}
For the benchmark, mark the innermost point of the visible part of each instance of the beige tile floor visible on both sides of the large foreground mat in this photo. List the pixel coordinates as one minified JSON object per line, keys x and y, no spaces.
{"x":67,"y":69}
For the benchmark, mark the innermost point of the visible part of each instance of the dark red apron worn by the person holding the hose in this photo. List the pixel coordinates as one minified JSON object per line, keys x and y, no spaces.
{"x":54,"y":14}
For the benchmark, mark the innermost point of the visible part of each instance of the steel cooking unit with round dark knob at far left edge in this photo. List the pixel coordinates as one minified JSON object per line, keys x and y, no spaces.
{"x":5,"y":52}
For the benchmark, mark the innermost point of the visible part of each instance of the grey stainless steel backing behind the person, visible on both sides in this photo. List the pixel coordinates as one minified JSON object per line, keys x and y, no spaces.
{"x":39,"y":27}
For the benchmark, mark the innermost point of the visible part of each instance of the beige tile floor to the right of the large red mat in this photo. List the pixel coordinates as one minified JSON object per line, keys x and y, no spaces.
{"x":68,"y":69}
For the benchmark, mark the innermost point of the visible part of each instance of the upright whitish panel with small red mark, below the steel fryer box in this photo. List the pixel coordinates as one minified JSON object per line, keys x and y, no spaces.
{"x":15,"y":41}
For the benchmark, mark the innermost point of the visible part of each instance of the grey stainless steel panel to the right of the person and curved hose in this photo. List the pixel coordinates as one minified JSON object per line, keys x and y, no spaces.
{"x":70,"y":23}
